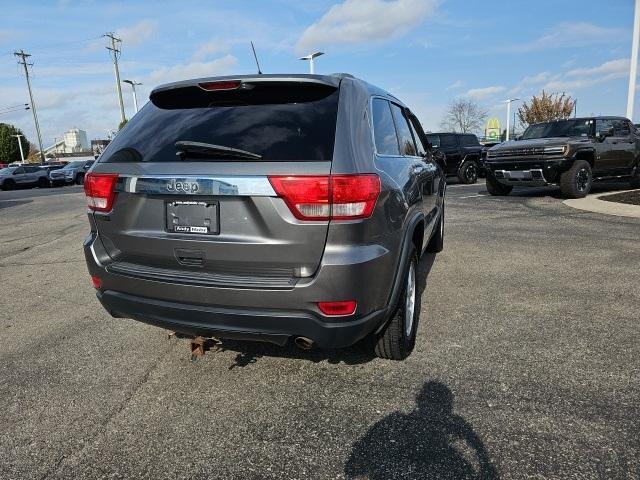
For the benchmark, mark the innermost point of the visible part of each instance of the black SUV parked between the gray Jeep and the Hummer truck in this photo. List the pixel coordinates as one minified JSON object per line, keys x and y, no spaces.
{"x":462,"y":152}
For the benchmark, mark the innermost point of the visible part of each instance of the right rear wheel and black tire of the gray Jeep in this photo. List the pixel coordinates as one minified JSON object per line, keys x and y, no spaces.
{"x":398,"y":337}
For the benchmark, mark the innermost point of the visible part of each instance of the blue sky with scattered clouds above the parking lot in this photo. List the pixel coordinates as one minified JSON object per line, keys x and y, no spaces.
{"x":426,"y":52}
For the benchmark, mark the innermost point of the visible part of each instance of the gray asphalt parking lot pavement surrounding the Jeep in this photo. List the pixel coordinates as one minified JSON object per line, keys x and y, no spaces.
{"x":527,"y":363}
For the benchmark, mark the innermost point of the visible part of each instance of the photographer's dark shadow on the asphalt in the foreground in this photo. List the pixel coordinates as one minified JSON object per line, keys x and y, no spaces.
{"x":430,"y":442}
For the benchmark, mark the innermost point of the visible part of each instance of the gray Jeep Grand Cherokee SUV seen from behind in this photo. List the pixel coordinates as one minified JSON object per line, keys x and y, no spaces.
{"x":269,"y":207}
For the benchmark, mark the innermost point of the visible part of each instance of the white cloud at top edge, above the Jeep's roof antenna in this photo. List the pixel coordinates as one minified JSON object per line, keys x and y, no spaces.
{"x":356,"y":21}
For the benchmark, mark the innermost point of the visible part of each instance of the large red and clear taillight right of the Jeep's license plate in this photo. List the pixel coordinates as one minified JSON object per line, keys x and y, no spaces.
{"x":324,"y":197}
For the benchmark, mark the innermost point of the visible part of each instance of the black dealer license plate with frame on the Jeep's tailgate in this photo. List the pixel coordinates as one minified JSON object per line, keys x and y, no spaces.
{"x":192,"y":217}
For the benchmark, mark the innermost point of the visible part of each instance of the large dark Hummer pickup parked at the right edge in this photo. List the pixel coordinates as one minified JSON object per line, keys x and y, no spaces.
{"x":570,"y":153}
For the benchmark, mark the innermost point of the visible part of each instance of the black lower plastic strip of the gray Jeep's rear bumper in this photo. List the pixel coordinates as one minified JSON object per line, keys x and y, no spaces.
{"x":240,"y":324}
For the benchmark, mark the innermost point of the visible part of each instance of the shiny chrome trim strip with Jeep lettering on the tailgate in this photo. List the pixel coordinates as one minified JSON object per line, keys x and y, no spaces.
{"x":254,"y":186}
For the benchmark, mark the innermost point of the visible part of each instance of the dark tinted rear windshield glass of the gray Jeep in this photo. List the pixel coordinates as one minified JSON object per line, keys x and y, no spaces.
{"x":277,"y":121}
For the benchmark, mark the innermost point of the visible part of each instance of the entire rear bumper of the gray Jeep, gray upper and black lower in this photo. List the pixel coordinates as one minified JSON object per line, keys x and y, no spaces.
{"x":364,"y":273}
